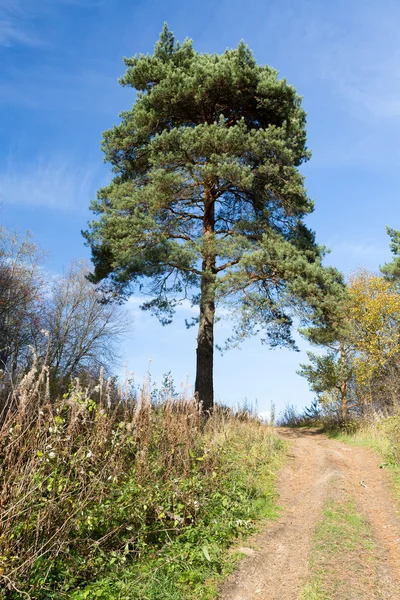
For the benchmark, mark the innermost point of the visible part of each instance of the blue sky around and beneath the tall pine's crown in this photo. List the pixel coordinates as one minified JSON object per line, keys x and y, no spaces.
{"x":60,"y":60}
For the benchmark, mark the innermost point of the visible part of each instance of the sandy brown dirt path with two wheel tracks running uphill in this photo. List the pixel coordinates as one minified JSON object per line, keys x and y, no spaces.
{"x":319,"y":470}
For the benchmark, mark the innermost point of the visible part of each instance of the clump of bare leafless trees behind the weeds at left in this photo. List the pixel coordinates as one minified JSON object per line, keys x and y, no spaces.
{"x":62,"y":319}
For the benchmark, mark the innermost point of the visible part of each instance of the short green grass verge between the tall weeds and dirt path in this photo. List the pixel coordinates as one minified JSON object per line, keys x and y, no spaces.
{"x":193,"y":564}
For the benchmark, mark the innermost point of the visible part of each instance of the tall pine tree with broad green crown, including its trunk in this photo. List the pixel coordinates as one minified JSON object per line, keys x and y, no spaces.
{"x":207,"y":202}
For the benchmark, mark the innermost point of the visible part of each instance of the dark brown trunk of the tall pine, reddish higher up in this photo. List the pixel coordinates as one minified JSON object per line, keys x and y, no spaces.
{"x":204,"y":386}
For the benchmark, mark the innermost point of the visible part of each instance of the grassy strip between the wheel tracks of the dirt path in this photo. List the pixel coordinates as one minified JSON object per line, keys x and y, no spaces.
{"x":342,"y":563}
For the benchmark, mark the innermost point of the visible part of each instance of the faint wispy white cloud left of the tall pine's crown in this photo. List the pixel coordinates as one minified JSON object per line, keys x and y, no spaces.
{"x":54,"y":184}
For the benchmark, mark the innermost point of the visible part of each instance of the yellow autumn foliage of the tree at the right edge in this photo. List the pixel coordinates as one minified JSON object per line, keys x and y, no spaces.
{"x":374,"y":316}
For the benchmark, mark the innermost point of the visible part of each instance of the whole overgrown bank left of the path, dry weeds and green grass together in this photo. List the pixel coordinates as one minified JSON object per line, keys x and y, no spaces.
{"x":106,"y":495}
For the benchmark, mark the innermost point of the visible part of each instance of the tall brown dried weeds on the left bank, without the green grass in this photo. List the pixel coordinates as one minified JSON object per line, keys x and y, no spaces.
{"x":59,"y":458}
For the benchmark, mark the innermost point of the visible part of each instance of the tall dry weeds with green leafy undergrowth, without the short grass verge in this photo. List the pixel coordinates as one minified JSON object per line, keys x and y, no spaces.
{"x":87,"y":479}
